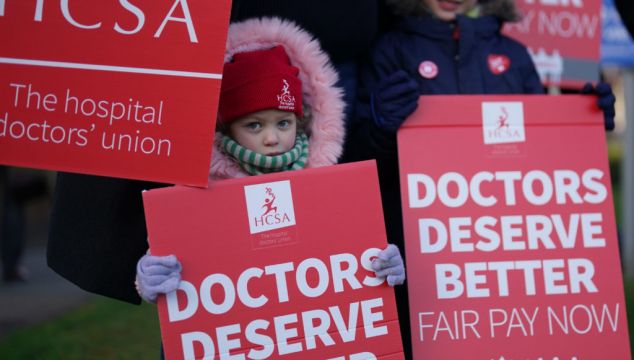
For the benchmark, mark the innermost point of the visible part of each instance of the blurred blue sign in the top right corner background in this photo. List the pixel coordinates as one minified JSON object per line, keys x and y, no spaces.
{"x":617,"y":47}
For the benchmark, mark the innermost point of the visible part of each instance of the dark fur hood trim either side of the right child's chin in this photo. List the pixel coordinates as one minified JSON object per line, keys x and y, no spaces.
{"x":505,"y":10}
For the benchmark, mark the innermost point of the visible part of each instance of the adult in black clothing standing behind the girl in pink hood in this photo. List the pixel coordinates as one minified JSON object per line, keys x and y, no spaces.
{"x":97,"y":230}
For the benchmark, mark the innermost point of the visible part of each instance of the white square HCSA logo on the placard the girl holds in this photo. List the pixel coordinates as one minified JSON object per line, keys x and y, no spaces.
{"x":269,"y":206}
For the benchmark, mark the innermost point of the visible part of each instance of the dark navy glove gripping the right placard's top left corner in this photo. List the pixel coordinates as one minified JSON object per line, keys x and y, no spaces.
{"x":394,"y":100}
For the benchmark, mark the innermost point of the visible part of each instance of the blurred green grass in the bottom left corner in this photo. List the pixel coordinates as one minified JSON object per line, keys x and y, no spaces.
{"x":100,"y":329}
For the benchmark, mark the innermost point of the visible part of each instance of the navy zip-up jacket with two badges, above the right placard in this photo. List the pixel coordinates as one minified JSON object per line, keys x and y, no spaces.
{"x":460,"y":51}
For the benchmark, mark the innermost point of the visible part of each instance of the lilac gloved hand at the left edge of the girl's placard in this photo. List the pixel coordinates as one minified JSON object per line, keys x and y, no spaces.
{"x":157,"y":275}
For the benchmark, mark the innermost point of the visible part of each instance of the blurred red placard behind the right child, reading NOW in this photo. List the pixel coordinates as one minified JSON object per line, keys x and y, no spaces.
{"x":563,"y":37}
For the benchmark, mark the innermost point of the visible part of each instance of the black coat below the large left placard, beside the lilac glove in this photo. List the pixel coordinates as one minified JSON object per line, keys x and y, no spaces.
{"x":97,"y":233}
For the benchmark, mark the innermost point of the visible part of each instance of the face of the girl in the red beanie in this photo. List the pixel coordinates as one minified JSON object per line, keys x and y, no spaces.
{"x":267,"y":132}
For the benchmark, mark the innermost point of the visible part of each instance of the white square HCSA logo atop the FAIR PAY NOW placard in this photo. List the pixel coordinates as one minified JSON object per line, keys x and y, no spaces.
{"x":503,"y":122}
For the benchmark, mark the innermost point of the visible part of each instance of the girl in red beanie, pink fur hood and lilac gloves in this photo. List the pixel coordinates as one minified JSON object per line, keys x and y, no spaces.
{"x":278,"y":111}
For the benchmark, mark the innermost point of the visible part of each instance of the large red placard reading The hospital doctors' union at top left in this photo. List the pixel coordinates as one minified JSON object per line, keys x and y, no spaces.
{"x":112,"y":88}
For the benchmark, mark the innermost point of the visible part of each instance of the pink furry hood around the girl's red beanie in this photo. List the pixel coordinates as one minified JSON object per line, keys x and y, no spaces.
{"x":323,"y":99}
